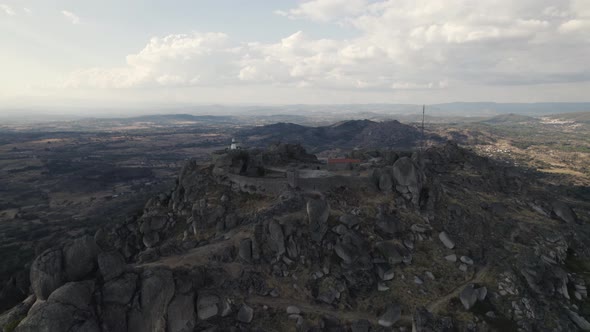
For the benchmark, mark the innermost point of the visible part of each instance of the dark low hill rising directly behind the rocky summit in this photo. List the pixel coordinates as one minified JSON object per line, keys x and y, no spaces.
{"x":347,"y":134}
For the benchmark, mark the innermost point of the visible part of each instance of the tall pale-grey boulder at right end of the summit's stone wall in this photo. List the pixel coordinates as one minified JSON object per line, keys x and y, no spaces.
{"x":408,"y":179}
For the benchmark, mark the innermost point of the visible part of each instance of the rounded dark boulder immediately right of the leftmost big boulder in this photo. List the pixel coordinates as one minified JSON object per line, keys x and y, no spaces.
{"x":80,"y":258}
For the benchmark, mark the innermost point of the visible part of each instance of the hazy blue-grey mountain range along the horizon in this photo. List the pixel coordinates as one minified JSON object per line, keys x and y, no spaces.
{"x":292,"y":112}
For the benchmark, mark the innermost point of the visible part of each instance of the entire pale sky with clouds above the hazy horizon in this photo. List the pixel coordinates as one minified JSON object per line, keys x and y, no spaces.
{"x":116,"y":53}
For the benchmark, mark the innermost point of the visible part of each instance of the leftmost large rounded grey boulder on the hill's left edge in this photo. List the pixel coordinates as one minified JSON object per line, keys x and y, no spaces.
{"x":47,"y":273}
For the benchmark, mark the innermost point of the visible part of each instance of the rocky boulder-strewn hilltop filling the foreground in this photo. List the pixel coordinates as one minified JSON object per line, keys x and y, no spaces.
{"x":442,"y":240}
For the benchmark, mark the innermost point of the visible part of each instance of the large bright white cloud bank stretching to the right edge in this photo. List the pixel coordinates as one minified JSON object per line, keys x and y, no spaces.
{"x":400,"y":45}
